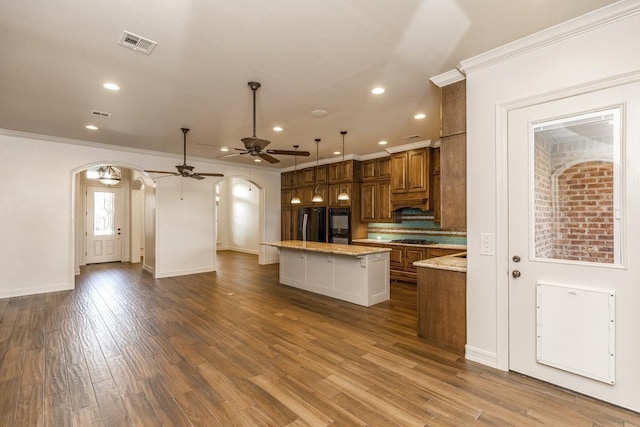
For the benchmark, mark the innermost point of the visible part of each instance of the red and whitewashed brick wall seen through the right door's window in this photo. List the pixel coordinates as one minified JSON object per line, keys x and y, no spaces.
{"x":574,"y":199}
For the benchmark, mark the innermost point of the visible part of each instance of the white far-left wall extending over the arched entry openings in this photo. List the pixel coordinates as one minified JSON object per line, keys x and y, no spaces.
{"x":37,"y":222}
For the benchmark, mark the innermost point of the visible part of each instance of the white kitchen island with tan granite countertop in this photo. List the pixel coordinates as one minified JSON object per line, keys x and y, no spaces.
{"x":352,"y":273}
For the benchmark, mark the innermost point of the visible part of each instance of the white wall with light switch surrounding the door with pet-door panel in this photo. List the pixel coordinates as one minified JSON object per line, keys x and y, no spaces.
{"x":581,"y":57}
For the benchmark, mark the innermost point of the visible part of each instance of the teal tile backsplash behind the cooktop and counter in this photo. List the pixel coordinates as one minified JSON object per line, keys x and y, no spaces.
{"x":415,"y":224}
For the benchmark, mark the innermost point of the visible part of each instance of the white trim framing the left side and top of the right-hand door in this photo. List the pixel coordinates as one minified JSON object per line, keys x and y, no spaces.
{"x":502,"y":196}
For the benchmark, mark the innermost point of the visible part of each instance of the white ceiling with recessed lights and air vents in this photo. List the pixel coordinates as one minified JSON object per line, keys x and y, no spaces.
{"x":307,"y":54}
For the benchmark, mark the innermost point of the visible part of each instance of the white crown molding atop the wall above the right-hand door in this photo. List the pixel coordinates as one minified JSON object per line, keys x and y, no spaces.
{"x":588,"y":22}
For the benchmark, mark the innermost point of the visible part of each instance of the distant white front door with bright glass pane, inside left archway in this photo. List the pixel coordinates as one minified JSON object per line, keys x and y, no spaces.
{"x":104,"y":224}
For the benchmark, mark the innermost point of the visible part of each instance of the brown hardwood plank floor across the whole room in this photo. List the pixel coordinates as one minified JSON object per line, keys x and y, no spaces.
{"x":236,"y":348}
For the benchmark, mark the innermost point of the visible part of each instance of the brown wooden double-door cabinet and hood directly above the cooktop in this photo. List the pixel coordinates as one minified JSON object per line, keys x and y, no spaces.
{"x":410,"y":177}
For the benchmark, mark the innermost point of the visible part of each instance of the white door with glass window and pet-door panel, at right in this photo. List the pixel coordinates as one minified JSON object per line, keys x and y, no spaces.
{"x":574,"y":286}
